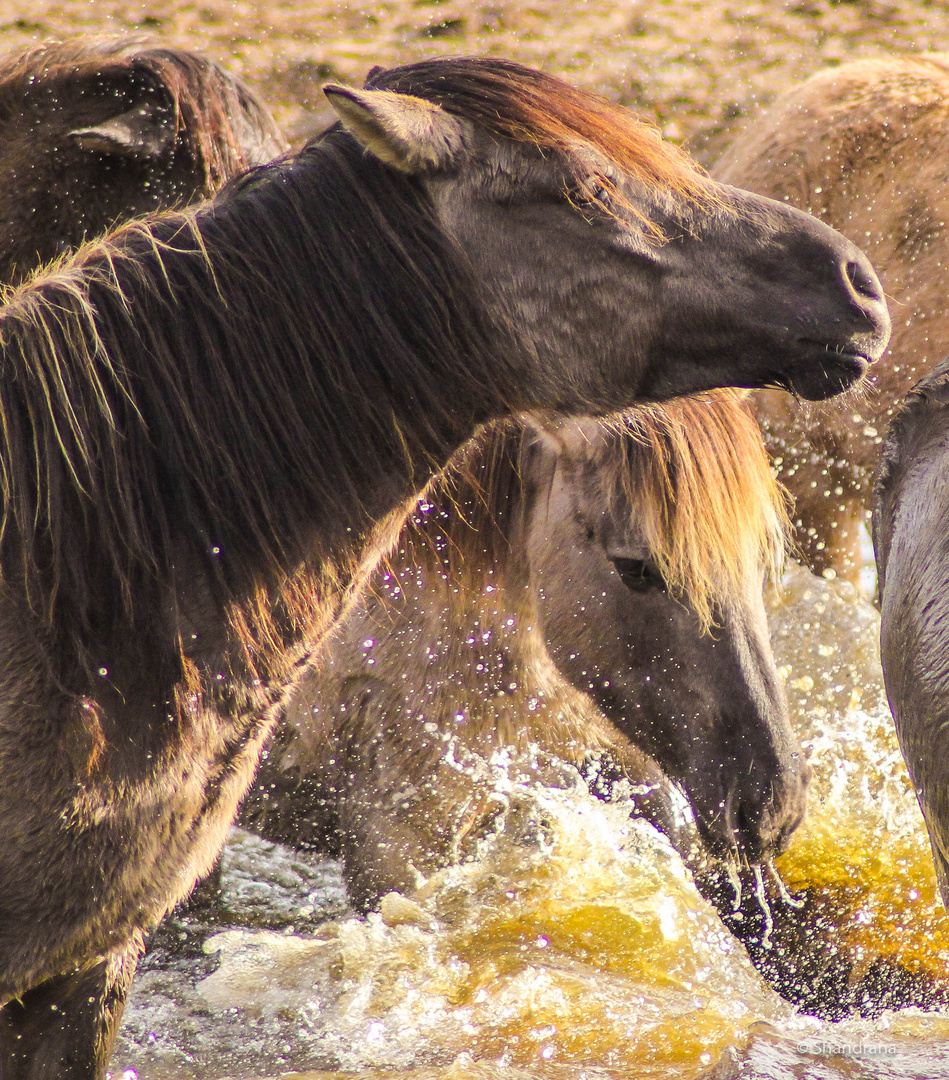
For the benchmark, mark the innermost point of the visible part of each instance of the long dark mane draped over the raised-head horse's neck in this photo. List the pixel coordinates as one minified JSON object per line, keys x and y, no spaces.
{"x":167,"y":387}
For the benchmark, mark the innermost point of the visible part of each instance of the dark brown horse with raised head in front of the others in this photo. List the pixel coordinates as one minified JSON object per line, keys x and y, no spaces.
{"x":215,"y":420}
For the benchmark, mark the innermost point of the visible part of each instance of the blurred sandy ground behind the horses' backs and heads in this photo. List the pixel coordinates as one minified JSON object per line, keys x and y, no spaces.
{"x":697,"y":67}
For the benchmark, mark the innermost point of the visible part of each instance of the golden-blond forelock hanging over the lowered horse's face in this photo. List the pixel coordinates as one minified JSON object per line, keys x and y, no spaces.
{"x":699,"y":484}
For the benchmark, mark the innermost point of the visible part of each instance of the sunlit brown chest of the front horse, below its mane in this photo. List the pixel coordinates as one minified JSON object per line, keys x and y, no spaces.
{"x":125,"y":811}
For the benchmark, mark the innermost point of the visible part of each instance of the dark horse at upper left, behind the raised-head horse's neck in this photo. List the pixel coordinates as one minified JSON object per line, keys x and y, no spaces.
{"x":100,"y":131}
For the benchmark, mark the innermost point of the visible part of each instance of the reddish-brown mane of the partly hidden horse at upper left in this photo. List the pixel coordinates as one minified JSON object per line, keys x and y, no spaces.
{"x":214,"y":112}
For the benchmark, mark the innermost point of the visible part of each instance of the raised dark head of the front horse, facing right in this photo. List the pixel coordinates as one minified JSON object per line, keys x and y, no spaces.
{"x":622,"y":263}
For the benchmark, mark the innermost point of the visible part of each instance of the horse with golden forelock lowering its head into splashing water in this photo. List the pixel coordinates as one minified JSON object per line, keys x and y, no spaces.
{"x":635,"y":552}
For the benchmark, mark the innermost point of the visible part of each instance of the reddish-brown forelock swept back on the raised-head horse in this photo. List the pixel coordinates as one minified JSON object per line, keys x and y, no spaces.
{"x":531,"y":106}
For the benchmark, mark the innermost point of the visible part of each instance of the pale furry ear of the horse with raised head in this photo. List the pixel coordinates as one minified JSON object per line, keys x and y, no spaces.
{"x":408,"y":132}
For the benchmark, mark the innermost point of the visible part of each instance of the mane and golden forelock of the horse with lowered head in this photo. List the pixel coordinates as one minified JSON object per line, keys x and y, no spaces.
{"x":694,"y":474}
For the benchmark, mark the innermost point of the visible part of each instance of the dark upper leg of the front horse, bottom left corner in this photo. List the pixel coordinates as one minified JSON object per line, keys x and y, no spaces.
{"x":64,"y":1029}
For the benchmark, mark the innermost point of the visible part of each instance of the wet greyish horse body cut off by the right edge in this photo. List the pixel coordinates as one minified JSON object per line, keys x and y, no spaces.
{"x":911,"y":520}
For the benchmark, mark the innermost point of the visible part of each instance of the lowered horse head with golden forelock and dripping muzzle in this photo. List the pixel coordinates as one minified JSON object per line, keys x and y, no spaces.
{"x":649,"y":545}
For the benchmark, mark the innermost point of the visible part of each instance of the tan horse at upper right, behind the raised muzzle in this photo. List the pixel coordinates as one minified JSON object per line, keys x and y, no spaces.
{"x":864,"y":148}
